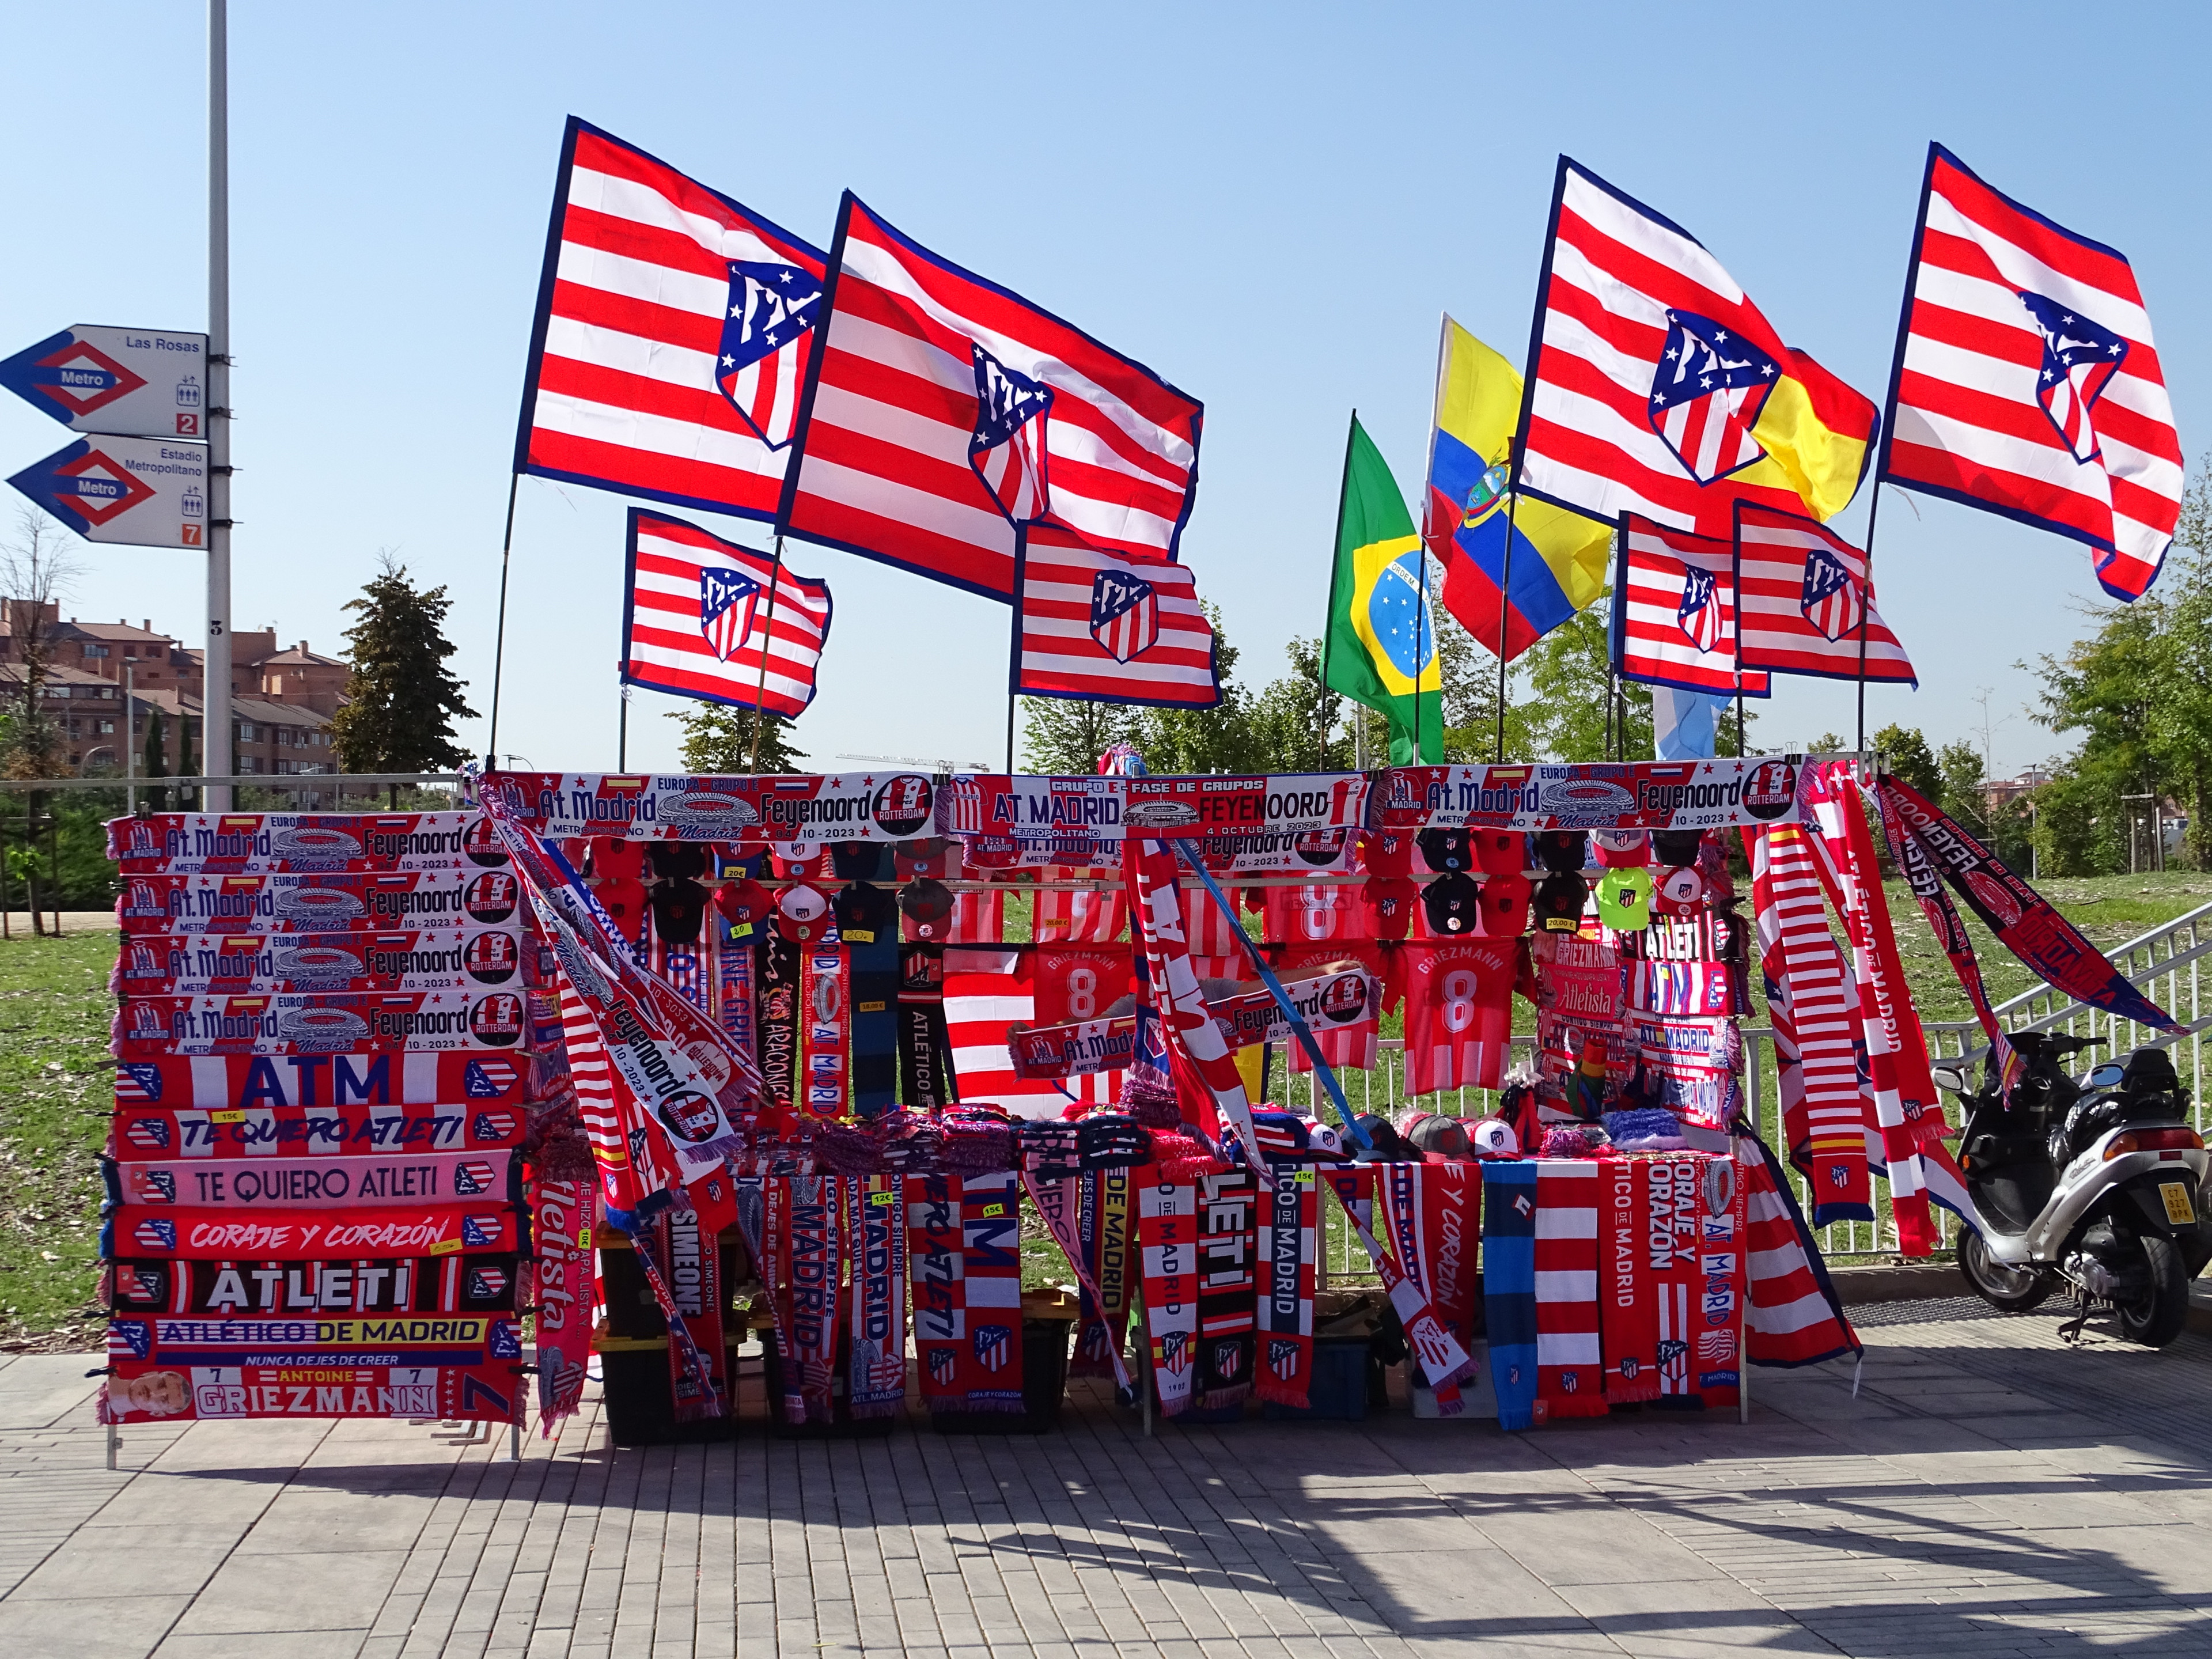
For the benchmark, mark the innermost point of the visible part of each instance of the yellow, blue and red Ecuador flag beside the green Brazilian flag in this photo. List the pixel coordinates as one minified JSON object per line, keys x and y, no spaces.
{"x":1558,"y":556}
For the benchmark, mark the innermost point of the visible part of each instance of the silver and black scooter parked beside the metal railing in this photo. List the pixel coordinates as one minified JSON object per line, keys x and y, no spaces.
{"x":2094,"y":1185}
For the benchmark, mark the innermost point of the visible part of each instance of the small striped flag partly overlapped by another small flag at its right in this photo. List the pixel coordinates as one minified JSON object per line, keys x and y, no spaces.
{"x":1676,"y":612}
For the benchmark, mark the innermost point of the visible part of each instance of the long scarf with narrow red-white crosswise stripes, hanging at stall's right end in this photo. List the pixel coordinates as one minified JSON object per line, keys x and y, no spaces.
{"x":1797,"y":950}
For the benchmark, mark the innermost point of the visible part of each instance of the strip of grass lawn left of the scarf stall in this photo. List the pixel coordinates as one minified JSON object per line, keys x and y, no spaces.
{"x":56,"y":1094}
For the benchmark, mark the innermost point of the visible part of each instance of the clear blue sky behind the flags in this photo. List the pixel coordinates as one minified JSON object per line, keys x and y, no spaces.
{"x":1266,"y":205}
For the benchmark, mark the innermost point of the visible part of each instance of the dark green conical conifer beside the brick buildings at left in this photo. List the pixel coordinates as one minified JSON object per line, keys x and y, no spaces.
{"x":401,"y":700}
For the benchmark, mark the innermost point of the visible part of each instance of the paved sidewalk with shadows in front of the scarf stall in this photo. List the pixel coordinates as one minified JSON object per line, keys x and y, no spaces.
{"x":1987,"y":1494}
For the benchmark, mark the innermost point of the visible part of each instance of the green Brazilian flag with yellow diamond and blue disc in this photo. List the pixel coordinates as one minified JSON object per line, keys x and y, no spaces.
{"x":1381,"y":640}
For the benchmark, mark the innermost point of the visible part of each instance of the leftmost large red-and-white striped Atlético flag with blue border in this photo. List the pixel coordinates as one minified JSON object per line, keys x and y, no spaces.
{"x":674,"y":335}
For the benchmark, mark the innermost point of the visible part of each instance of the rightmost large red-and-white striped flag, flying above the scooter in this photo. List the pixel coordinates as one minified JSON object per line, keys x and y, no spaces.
{"x":2027,"y":382}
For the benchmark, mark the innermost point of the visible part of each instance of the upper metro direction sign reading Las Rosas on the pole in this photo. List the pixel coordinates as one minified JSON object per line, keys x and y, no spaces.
{"x":127,"y":382}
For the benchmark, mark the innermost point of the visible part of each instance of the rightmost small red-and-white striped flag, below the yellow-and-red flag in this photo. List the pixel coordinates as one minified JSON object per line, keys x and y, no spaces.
{"x":1804,"y":594}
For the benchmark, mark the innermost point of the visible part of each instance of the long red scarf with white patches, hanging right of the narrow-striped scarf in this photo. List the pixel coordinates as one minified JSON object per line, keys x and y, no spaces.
{"x":1906,"y":1105}
